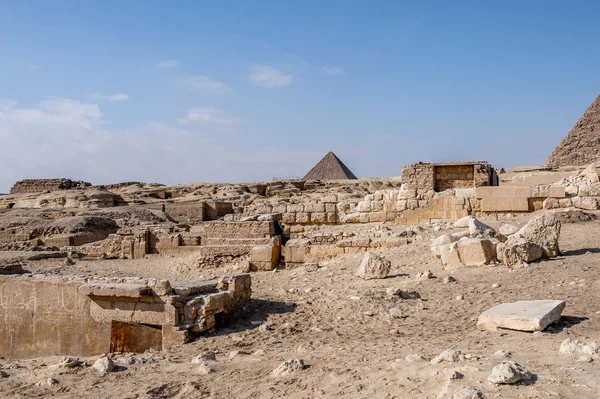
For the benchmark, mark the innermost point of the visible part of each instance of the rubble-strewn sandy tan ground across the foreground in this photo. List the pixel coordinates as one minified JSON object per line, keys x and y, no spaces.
{"x":340,"y":326}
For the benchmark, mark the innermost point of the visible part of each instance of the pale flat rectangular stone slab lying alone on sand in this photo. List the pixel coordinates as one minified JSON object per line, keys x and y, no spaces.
{"x":521,"y":315}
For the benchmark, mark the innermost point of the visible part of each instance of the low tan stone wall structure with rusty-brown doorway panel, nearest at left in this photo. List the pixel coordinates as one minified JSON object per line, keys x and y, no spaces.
{"x":44,"y":315}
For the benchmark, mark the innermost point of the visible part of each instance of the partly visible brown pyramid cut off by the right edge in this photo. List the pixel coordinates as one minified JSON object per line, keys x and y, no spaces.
{"x":582,"y":145}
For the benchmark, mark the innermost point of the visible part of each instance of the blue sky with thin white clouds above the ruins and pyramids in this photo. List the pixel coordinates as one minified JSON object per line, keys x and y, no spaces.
{"x":109,"y":91}
